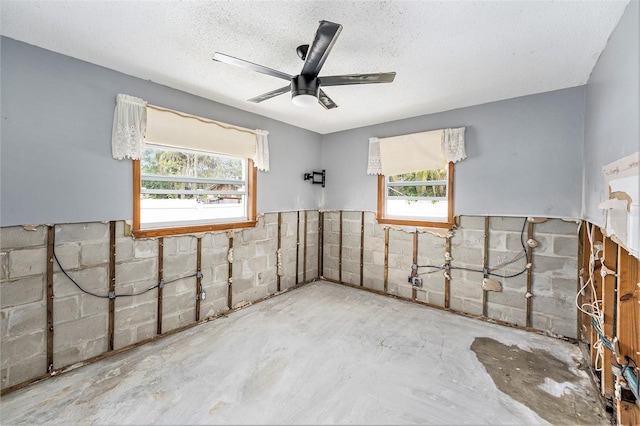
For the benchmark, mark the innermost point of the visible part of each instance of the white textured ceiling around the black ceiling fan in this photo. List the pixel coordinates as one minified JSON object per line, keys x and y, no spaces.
{"x":447,"y":54}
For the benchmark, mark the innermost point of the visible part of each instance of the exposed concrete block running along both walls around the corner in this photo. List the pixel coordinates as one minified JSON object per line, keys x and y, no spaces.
{"x":357,"y":251}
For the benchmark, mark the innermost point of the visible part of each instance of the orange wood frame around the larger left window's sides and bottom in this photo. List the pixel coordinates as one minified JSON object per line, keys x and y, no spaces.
{"x":138,"y":232}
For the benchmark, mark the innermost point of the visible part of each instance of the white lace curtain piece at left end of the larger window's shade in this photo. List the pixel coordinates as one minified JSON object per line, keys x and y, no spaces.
{"x":129,"y":125}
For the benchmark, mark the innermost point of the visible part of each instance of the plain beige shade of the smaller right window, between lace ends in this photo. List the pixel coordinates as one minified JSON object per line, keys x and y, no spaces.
{"x":412,"y":153}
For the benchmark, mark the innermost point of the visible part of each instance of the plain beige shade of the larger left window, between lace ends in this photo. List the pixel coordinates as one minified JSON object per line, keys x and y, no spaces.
{"x":186,"y":131}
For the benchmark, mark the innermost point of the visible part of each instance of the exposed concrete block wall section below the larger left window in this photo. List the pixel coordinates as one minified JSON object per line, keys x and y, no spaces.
{"x":81,"y":321}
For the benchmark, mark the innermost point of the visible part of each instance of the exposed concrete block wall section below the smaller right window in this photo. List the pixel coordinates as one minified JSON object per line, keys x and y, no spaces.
{"x":553,"y":278}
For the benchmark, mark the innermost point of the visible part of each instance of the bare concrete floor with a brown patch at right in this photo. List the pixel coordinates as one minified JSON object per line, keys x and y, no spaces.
{"x":325,"y":354}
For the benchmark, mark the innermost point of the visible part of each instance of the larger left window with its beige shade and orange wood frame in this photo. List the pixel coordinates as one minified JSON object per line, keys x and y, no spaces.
{"x":194,"y":175}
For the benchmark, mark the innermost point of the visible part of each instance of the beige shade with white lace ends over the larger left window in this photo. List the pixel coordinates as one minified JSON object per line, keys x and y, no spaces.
{"x":136,"y":122}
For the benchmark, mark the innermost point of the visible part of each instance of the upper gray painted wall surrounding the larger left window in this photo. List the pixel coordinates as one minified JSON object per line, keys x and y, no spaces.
{"x":56,"y":163}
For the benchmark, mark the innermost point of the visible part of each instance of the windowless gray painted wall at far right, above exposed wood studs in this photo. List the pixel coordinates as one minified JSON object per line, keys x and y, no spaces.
{"x":612,"y":127}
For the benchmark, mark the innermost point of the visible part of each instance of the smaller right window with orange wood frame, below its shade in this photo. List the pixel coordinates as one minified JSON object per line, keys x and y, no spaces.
{"x":423,"y":198}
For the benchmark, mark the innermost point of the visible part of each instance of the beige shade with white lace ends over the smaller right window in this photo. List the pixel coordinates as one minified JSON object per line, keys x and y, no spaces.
{"x":415,"y":152}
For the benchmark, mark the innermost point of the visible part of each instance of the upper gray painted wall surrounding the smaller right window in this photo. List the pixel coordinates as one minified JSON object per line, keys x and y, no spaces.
{"x":524,"y":157}
